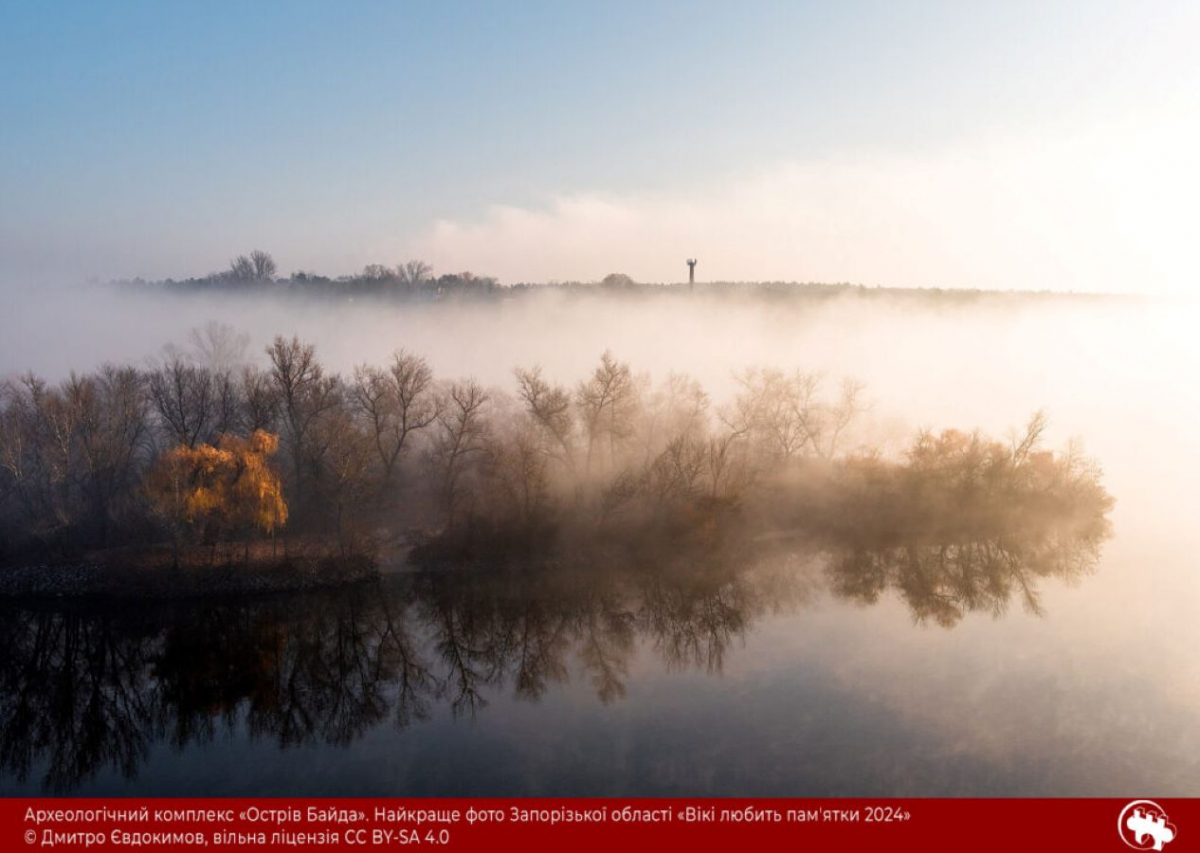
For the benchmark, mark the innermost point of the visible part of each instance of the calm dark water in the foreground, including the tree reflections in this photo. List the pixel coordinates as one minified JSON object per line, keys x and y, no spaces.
{"x":795,"y":676}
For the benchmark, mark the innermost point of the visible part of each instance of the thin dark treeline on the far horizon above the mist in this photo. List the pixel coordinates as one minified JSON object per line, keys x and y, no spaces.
{"x":416,"y":281}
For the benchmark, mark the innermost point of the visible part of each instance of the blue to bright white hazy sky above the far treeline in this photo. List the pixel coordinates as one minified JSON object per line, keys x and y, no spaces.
{"x":979,"y":145}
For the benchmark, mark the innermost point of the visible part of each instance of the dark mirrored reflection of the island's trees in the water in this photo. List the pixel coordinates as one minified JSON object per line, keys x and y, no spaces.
{"x":89,"y":690}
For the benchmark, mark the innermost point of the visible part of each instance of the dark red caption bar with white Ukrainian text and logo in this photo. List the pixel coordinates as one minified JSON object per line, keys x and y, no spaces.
{"x":587,"y":825}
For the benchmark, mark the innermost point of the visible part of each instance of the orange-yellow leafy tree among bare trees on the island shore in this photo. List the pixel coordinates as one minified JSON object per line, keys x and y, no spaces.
{"x":219,"y":492}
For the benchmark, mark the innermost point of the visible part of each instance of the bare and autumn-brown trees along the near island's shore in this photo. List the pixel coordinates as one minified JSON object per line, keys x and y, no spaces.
{"x":214,"y":455}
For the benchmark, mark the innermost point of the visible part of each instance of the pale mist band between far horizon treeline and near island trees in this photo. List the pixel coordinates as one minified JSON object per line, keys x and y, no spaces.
{"x":1097,"y":367}
